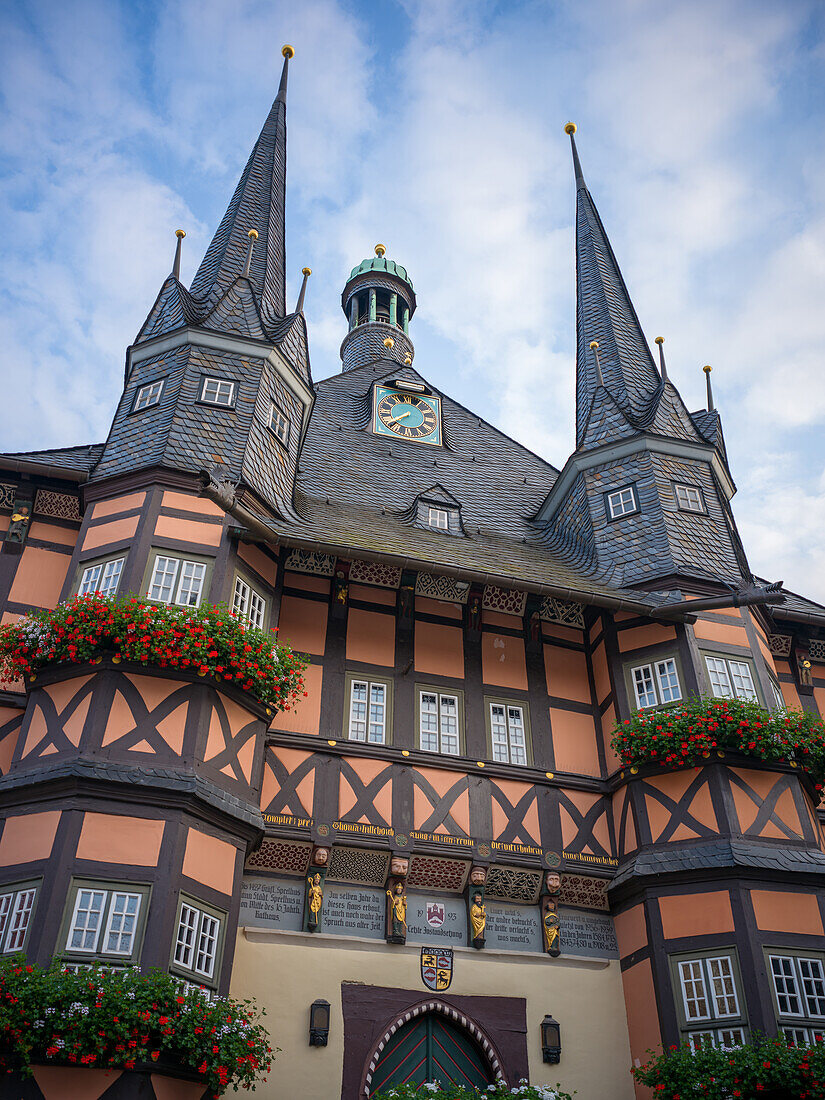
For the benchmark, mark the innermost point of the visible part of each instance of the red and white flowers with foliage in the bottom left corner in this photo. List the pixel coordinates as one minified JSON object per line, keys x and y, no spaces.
{"x":118,"y":1019}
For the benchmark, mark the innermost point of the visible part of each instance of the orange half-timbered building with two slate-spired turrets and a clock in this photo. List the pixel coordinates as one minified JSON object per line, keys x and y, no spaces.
{"x":477,"y":621}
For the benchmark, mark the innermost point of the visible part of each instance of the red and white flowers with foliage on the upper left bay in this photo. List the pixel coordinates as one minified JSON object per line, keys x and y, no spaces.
{"x":208,"y":641}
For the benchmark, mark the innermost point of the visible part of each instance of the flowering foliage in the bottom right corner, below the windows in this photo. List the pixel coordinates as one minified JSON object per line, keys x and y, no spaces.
{"x":766,"y":1069}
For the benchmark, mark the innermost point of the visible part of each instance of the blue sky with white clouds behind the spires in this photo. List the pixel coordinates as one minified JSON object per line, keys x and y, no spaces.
{"x":436,"y":127}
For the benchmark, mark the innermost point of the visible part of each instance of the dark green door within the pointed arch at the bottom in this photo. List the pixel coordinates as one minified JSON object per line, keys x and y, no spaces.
{"x":432,"y":1047}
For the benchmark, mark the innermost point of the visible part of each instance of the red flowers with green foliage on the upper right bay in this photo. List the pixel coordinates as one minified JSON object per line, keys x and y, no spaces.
{"x":688,"y":733}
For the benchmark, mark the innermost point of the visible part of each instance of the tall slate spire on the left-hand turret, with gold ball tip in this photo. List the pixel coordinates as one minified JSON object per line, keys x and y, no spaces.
{"x":259,"y":205}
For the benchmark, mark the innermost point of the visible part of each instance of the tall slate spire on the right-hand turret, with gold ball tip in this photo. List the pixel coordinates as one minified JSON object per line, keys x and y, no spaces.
{"x":607,"y":315}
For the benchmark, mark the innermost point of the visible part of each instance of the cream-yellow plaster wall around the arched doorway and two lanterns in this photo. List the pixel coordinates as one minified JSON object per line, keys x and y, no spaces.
{"x":287,"y":972}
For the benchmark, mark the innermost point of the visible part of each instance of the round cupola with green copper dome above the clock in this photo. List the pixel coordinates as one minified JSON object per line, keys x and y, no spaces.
{"x":379,"y":302}
